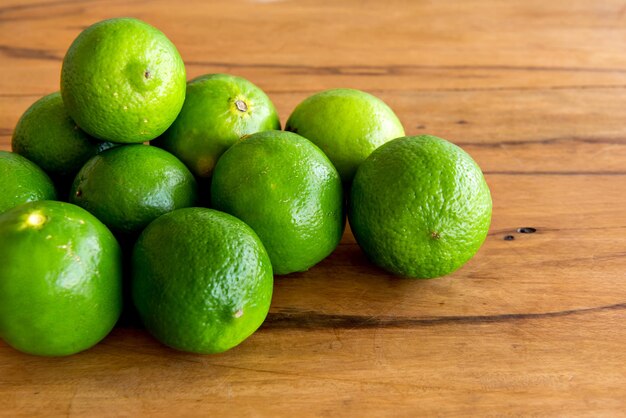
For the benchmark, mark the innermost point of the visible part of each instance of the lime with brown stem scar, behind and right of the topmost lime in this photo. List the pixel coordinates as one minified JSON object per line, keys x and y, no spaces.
{"x":219,"y":109}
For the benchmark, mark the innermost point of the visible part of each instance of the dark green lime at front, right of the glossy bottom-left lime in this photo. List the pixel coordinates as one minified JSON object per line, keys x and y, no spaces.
{"x":202,"y":281}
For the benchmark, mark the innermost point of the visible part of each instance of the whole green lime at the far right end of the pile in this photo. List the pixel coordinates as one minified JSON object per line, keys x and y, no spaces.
{"x":419,"y":207}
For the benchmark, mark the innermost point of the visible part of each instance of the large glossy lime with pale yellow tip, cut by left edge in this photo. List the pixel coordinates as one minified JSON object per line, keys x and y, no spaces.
{"x":60,"y":279}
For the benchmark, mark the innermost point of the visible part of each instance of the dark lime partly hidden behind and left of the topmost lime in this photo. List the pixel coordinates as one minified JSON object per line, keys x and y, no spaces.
{"x":46,"y":135}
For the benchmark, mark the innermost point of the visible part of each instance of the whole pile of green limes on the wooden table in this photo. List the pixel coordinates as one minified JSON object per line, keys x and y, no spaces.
{"x":88,"y":208}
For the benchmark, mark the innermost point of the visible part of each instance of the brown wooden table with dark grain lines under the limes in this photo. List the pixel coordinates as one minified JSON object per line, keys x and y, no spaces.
{"x":534,"y":90}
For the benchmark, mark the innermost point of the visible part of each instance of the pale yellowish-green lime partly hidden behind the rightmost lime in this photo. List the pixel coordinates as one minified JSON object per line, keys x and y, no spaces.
{"x":346,"y":124}
